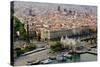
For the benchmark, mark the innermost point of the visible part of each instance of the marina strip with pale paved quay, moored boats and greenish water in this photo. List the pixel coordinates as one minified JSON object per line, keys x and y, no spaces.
{"x":64,"y":57}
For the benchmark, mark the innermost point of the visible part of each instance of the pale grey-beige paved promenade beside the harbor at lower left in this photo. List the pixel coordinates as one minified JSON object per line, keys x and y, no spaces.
{"x":23,"y":60}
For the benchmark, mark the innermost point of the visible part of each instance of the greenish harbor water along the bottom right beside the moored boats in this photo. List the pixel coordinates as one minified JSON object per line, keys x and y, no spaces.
{"x":86,"y":57}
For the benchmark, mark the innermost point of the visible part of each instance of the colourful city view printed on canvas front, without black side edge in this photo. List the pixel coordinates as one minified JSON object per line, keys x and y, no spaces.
{"x":50,"y":33}
